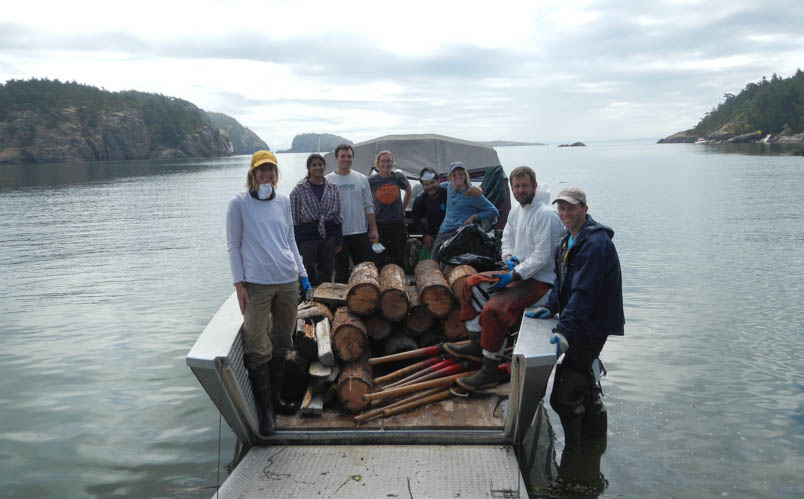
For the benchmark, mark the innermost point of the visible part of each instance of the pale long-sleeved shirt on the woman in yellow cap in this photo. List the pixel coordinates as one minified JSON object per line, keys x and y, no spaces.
{"x":262,"y":246}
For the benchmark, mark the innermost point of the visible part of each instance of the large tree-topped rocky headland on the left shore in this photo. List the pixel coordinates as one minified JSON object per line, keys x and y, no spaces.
{"x":48,"y":120}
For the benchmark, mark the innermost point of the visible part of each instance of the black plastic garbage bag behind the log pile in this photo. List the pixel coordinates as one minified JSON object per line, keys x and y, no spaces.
{"x":470,"y":245}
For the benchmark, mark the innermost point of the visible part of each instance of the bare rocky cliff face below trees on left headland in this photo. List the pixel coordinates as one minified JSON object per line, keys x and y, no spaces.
{"x":64,"y":135}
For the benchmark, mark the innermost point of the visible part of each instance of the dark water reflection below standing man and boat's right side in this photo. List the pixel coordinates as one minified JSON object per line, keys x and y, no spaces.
{"x":577,"y":474}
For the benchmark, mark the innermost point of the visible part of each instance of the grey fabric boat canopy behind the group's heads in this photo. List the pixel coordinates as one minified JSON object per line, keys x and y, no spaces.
{"x":414,"y":152}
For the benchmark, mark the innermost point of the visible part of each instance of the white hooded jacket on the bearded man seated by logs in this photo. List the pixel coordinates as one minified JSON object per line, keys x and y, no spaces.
{"x":531,"y":234}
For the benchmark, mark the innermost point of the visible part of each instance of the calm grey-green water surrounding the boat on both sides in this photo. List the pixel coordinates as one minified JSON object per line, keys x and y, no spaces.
{"x":109,"y":271}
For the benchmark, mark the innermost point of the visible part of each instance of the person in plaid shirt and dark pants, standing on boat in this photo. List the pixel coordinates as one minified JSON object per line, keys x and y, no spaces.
{"x":317,"y":220}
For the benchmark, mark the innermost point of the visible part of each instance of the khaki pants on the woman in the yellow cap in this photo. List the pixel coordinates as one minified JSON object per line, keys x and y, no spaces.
{"x":269,"y":321}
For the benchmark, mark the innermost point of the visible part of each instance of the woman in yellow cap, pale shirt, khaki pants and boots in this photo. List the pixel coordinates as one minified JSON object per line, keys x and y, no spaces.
{"x":267,"y":270}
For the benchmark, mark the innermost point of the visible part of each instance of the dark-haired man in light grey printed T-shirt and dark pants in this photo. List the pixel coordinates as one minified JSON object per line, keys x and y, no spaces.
{"x":357,"y":210}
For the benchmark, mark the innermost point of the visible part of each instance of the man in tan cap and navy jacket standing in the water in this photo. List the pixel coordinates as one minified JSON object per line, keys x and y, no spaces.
{"x":588,"y":296}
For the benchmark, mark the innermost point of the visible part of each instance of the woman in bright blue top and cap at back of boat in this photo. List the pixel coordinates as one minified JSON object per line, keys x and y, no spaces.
{"x":462,"y":207}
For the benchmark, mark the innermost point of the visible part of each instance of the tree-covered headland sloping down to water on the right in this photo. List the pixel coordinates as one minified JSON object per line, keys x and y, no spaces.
{"x":770,"y":111}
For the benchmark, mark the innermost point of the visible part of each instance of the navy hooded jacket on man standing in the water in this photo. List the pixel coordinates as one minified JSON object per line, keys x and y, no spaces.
{"x":588,"y":290}
